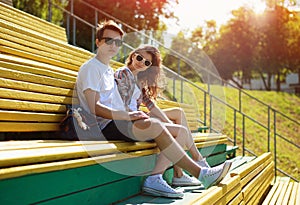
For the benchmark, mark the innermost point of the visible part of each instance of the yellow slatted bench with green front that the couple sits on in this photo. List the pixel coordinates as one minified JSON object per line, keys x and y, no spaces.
{"x":37,"y":77}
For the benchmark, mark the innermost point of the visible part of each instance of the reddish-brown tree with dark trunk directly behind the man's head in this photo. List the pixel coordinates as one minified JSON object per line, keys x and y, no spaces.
{"x":140,"y":15}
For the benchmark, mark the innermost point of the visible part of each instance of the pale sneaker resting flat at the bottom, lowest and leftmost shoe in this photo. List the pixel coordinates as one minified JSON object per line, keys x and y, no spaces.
{"x":157,"y":186}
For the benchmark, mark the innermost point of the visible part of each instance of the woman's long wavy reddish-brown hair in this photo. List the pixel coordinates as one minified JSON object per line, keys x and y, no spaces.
{"x":150,"y":76}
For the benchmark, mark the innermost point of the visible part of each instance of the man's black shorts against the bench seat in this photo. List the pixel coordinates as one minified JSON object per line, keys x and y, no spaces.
{"x":119,"y":130}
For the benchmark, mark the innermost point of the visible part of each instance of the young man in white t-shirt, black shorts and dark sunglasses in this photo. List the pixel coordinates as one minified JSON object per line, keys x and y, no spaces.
{"x":98,"y":94}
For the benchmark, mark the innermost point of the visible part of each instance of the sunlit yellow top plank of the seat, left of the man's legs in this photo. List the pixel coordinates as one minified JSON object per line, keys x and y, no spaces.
{"x":48,"y":154}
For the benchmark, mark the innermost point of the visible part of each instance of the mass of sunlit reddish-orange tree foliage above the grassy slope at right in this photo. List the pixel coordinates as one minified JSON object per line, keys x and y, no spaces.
{"x":250,"y":45}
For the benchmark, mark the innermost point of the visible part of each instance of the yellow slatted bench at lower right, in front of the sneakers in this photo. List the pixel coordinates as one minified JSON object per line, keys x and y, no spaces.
{"x":247,"y":183}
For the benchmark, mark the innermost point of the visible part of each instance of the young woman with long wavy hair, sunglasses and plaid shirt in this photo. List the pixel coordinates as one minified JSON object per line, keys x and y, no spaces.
{"x":138,"y":83}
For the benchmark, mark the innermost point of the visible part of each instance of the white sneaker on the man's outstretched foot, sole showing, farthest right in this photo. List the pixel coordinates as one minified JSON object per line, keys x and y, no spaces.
{"x":212,"y":176}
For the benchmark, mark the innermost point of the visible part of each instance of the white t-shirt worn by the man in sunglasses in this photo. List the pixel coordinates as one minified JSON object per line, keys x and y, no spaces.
{"x":99,"y":77}
